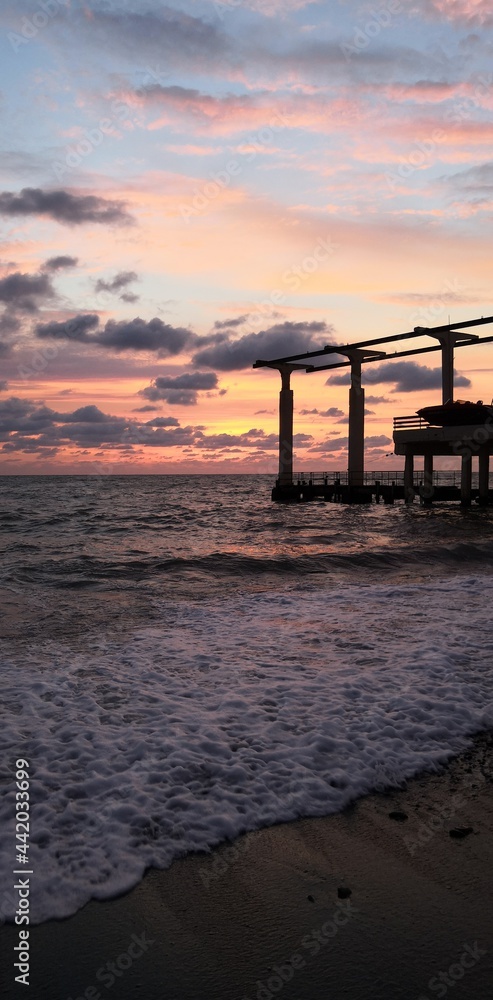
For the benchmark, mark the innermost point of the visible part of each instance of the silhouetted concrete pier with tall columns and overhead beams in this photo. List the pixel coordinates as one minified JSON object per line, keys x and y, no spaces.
{"x":413,"y":437}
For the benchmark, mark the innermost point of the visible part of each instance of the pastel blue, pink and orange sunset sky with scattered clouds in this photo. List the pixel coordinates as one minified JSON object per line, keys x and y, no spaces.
{"x":188,"y":187}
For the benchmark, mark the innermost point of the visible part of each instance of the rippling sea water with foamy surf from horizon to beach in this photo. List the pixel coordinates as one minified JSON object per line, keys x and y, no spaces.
{"x":184,"y":661}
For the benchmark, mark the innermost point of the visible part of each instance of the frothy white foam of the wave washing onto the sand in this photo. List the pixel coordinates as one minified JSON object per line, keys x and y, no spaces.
{"x":232,"y":715}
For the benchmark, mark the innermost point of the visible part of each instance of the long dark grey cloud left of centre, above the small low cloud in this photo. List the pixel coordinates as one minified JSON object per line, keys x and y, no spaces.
{"x":125,"y":335}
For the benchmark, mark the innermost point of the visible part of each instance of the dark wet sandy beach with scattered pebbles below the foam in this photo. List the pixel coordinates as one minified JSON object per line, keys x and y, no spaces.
{"x":390,"y":899}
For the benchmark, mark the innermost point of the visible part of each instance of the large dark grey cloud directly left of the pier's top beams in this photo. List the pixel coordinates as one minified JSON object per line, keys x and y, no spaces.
{"x":280,"y":340}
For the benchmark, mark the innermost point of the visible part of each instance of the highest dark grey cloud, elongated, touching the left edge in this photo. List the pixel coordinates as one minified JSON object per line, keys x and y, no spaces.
{"x":64,"y":207}
